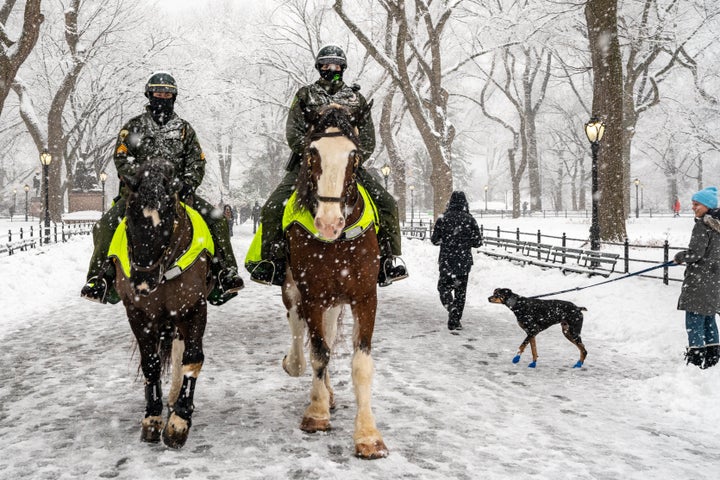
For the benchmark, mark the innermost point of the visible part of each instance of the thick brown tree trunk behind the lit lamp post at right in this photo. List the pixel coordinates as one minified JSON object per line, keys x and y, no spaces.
{"x":607,"y":105}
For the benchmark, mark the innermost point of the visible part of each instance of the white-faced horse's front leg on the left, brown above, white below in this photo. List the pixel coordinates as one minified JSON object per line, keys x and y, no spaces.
{"x":317,"y":414}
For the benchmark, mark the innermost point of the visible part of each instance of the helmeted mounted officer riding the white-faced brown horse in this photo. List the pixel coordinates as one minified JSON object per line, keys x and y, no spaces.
{"x":330,"y":88}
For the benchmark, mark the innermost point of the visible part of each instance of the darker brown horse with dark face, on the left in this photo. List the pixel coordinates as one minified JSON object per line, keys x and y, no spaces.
{"x":165,"y":305}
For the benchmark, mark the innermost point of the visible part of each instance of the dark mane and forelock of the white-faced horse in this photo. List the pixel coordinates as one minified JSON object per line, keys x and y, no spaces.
{"x":330,"y":116}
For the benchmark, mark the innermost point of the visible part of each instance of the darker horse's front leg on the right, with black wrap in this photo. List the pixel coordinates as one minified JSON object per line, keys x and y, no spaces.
{"x":179,"y":422}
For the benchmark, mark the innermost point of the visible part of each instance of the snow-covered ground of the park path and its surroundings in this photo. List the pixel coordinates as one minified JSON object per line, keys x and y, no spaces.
{"x":449,"y":406}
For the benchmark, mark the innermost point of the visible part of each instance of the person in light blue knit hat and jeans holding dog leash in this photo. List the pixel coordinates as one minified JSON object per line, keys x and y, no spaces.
{"x":700,"y":293}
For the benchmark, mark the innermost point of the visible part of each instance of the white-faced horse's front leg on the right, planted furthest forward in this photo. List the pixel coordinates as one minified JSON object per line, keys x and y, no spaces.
{"x":369,"y":443}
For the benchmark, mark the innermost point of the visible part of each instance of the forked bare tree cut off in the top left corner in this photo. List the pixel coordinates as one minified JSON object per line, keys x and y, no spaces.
{"x":14,"y":52}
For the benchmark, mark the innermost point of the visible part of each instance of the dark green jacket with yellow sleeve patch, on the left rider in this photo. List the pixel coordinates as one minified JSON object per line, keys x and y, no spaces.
{"x":141,"y":138}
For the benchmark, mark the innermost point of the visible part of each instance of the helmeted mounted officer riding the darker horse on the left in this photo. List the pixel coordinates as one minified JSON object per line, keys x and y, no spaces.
{"x":160,"y":133}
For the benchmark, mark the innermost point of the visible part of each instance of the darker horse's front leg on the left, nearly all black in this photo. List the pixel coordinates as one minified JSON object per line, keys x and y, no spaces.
{"x":145,"y":331}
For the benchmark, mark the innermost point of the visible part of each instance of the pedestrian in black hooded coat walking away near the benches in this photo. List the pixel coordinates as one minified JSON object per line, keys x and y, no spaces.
{"x":457,"y":232}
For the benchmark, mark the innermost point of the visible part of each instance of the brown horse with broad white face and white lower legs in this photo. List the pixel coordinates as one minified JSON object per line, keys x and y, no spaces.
{"x":330,"y":268}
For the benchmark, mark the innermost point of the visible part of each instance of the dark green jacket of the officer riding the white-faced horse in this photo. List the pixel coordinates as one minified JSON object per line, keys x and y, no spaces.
{"x":311,"y":97}
